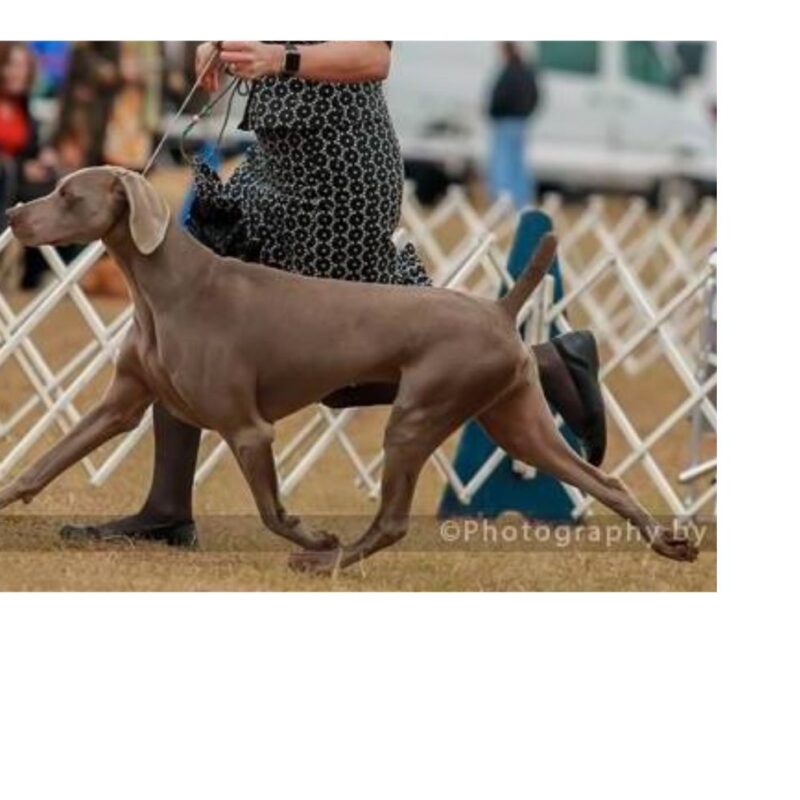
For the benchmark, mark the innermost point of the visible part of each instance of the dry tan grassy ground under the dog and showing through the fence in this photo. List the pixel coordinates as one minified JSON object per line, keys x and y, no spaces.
{"x":33,"y":557}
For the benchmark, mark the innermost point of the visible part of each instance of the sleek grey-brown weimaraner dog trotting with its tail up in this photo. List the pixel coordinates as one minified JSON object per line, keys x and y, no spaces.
{"x":235,"y":347}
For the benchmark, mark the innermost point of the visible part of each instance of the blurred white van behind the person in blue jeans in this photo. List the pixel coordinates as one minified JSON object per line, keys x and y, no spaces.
{"x":612,"y":115}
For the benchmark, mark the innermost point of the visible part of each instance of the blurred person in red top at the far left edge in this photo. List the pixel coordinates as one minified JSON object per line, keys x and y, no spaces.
{"x":27,"y":170}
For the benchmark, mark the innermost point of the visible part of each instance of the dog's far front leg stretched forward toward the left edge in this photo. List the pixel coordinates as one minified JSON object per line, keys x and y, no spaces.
{"x":119,"y":411}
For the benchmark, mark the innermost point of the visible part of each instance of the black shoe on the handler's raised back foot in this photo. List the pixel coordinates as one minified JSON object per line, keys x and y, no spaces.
{"x":578,"y":351}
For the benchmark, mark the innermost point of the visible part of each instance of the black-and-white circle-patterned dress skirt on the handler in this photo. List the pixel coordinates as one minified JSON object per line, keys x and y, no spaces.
{"x":320,"y":191}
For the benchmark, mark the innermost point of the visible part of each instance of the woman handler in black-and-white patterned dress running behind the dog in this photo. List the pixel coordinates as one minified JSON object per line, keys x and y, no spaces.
{"x":319,"y":194}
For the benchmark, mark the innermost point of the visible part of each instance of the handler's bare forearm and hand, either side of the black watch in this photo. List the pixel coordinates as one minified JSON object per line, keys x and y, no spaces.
{"x":345,"y":62}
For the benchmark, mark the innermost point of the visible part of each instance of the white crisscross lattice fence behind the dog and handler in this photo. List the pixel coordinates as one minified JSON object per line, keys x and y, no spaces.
{"x":637,"y":279}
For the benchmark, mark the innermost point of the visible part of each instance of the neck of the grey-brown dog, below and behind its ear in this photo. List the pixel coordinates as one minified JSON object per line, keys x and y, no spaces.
{"x":168,"y":276}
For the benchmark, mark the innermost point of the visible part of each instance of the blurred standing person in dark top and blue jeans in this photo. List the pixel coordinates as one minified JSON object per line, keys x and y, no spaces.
{"x":513,"y":100}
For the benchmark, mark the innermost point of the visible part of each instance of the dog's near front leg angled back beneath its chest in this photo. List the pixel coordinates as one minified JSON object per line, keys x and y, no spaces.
{"x":252,"y":448}
